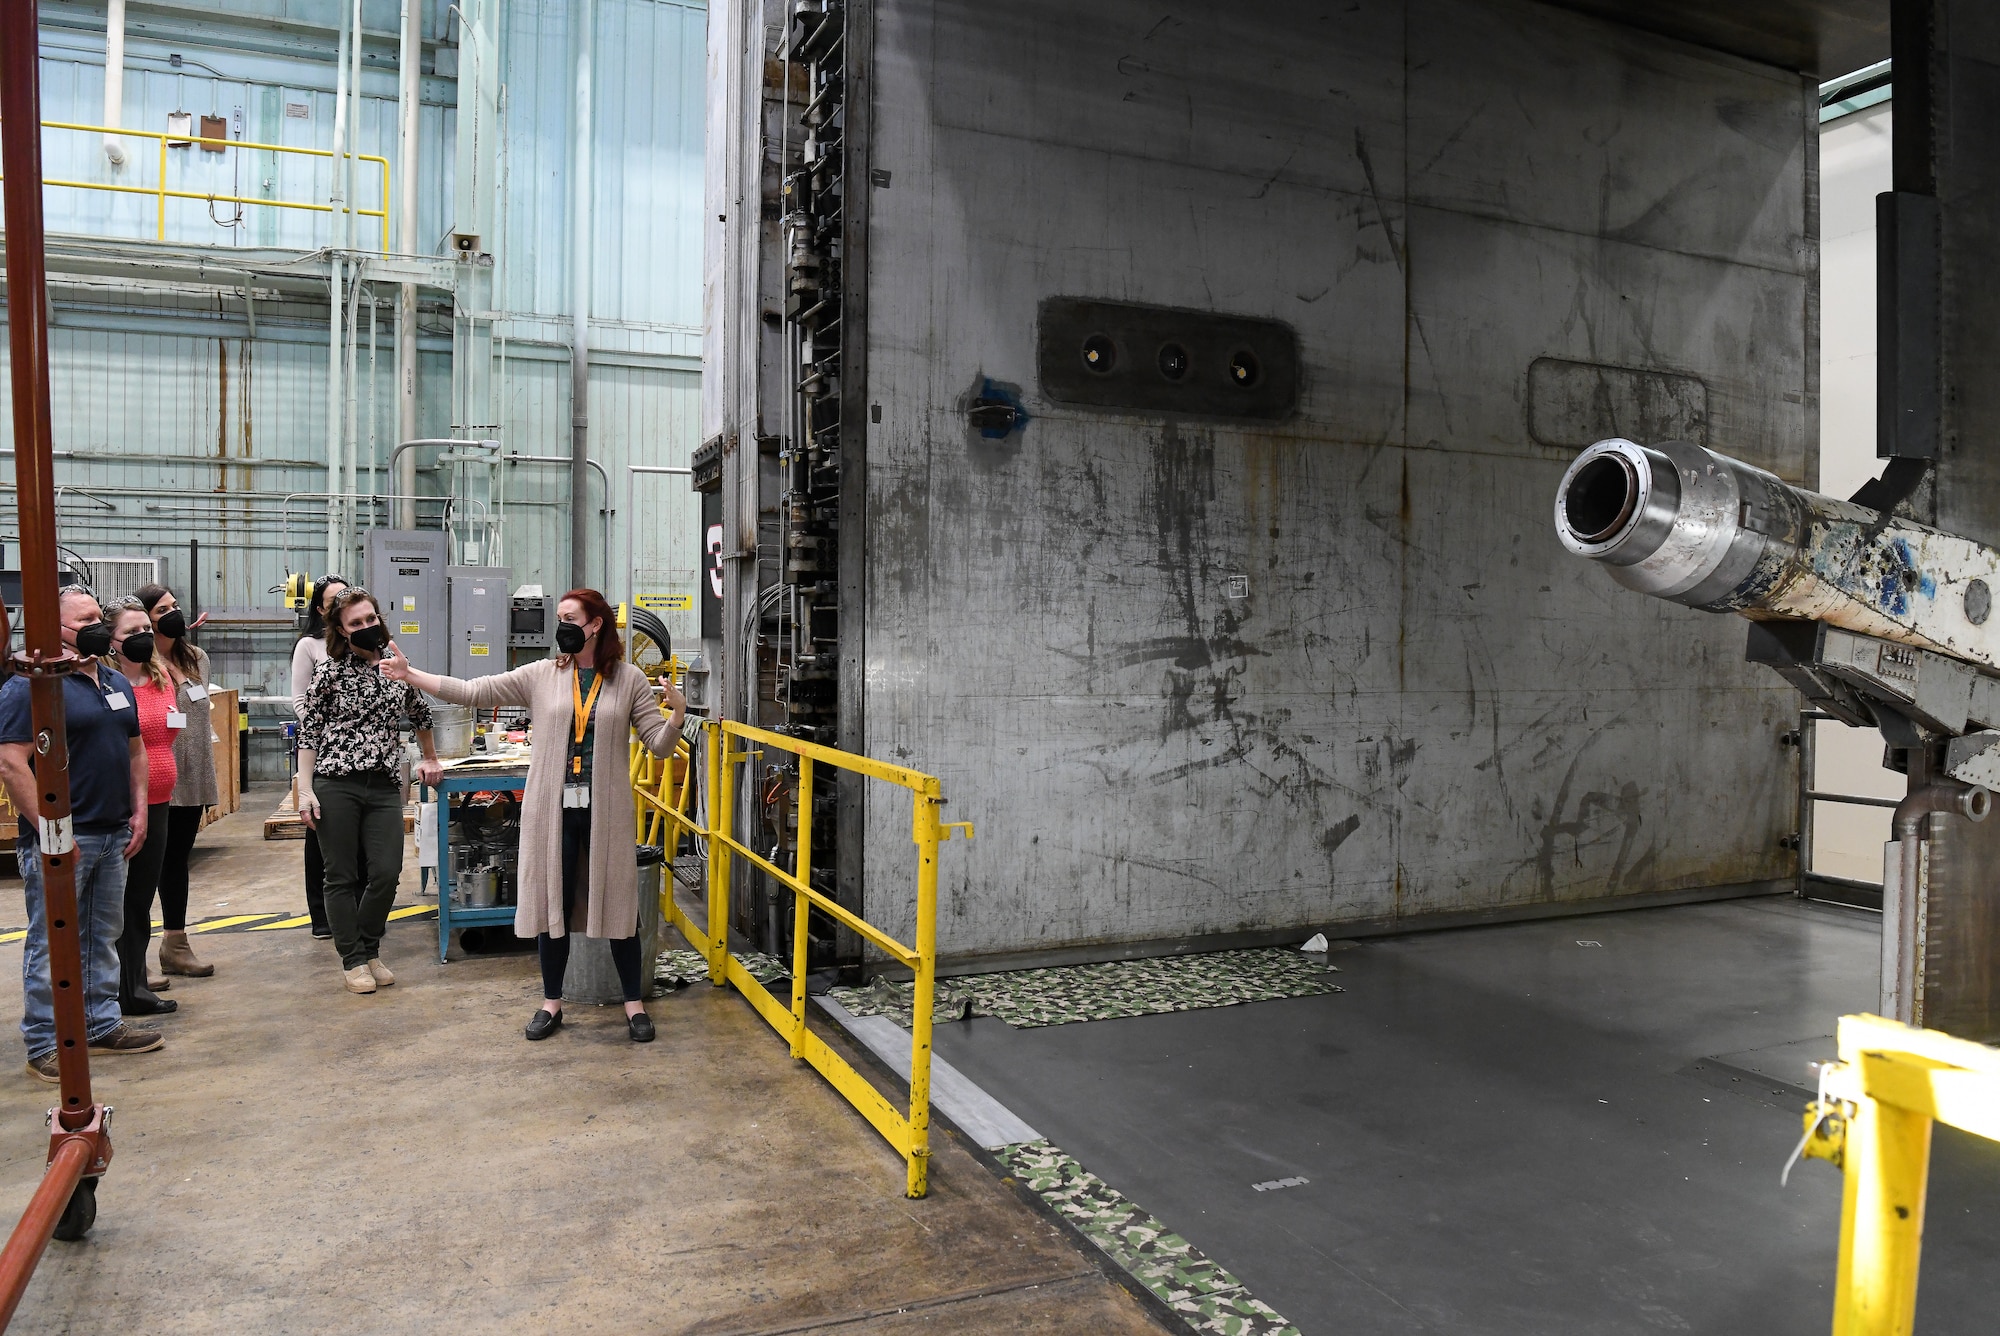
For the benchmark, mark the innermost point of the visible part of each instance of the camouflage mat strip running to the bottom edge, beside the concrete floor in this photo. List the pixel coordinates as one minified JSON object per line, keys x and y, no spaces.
{"x":1175,"y":1271}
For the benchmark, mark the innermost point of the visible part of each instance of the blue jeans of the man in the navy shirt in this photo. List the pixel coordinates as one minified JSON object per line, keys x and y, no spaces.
{"x":101,"y":915}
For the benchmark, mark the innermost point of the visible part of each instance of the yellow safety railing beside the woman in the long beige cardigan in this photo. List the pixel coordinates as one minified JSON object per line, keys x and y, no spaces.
{"x":729,"y":745}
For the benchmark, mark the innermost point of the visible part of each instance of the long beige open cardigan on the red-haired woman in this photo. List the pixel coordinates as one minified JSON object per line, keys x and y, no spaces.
{"x":611,"y":903}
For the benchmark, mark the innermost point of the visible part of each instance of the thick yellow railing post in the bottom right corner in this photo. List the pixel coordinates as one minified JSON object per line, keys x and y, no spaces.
{"x":1873,"y":1121}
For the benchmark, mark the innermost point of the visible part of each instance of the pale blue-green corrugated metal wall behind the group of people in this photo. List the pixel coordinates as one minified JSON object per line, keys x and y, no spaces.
{"x":161,"y":389}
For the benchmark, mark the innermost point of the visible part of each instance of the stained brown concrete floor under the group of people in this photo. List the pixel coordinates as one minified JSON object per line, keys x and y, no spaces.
{"x":299,"y":1159}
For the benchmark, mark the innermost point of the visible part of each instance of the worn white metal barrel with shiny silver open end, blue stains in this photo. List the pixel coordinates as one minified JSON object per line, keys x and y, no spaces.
{"x":1695,"y":527}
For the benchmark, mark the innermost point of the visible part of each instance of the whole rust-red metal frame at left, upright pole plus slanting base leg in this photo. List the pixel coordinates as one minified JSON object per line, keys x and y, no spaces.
{"x":79,"y":1127}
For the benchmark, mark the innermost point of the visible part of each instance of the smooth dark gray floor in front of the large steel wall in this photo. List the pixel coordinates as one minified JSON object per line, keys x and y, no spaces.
{"x":1509,"y":1133}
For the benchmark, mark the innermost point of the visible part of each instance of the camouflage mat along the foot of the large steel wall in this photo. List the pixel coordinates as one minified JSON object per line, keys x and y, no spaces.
{"x":1065,"y":995}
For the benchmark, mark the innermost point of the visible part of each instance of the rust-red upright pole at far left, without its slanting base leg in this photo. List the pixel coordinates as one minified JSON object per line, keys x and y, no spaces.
{"x":27,"y":281}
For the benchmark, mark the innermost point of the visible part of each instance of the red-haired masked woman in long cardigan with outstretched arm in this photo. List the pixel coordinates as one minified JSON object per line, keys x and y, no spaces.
{"x":577,"y":867}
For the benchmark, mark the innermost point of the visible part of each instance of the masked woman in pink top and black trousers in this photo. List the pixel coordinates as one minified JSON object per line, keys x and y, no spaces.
{"x":159,"y":721}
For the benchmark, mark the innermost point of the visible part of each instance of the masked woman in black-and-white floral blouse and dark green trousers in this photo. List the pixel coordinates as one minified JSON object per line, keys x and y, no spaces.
{"x":351,"y":781}
